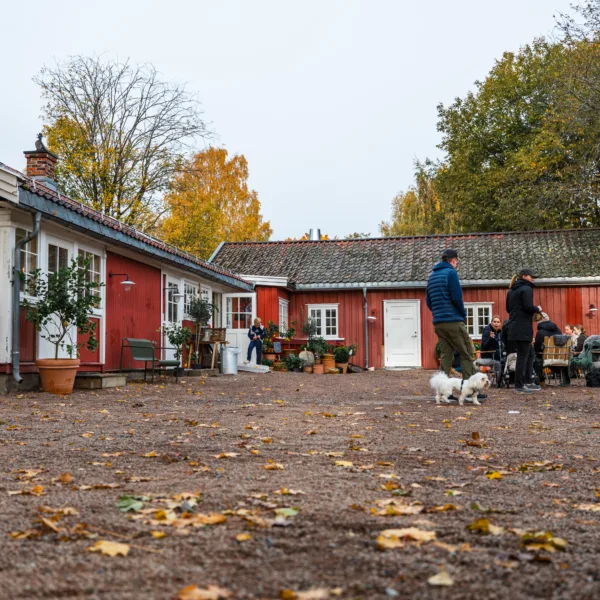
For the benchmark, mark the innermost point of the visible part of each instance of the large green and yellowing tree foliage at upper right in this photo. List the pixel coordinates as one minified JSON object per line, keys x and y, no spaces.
{"x":522,"y":150}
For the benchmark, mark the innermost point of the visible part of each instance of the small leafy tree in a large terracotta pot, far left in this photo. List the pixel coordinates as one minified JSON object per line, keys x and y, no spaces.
{"x":60,"y":312}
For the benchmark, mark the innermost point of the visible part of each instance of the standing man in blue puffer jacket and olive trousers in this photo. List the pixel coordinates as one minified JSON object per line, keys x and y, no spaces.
{"x":444,"y":299}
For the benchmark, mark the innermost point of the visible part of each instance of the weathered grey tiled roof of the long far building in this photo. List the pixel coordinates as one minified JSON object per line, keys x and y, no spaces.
{"x":484,"y":257}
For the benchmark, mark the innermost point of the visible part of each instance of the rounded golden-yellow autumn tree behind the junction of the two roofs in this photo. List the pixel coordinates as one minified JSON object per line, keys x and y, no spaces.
{"x":210,"y":202}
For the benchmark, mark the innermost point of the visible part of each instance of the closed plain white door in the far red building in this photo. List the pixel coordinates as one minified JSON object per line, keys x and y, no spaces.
{"x":402,"y":333}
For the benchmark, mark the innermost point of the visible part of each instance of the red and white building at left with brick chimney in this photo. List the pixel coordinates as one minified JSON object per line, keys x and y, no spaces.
{"x":164,"y":277}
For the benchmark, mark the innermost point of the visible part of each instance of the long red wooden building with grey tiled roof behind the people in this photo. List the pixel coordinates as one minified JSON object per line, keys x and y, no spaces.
{"x":372,"y":291}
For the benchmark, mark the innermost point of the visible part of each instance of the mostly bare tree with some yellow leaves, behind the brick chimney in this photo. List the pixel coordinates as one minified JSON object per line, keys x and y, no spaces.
{"x":121,"y":134}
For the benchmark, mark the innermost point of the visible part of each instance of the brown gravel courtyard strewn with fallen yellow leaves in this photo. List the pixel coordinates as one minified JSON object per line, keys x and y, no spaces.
{"x":287,"y":486}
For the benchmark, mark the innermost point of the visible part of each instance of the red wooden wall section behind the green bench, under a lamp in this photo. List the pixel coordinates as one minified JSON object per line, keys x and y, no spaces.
{"x":133,"y":314}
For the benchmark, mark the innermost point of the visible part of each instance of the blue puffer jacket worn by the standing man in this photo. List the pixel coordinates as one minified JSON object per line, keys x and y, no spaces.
{"x":444,"y":295}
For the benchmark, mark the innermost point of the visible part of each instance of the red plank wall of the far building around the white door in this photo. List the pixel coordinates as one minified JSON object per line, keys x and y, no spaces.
{"x":563,"y":305}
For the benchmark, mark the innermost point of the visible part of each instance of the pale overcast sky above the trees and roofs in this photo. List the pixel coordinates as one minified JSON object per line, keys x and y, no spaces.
{"x":330,"y":101}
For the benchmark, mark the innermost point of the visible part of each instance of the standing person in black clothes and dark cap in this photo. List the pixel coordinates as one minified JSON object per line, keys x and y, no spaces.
{"x":520,"y":307}
